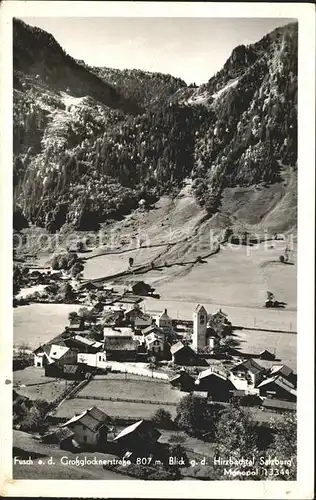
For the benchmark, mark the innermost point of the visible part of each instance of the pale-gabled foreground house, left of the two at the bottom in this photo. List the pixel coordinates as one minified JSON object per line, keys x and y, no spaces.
{"x":90,"y":428}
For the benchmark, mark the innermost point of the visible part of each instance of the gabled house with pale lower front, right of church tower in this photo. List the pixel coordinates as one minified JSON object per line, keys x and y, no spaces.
{"x":246,"y":374}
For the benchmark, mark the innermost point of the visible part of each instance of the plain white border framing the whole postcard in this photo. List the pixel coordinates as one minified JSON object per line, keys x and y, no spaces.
{"x":303,"y":487}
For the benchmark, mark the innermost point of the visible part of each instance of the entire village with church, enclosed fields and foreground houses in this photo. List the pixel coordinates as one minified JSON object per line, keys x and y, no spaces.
{"x":120,"y":371}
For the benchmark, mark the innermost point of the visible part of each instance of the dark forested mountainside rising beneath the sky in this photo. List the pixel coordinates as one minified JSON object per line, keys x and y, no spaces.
{"x":89,"y":143}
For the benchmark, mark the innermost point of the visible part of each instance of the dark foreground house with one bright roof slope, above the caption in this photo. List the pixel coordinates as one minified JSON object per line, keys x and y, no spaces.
{"x":138,"y":436}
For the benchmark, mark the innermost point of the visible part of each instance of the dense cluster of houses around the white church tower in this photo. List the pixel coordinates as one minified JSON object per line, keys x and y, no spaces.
{"x":125,"y":333}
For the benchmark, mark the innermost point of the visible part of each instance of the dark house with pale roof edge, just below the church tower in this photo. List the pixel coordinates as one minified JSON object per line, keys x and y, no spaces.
{"x":215,"y":383}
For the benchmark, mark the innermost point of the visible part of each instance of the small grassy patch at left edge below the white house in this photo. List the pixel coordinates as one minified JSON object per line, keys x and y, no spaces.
{"x":32,"y":383}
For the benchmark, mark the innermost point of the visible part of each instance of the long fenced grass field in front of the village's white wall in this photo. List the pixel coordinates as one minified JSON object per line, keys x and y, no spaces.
{"x":132,"y":389}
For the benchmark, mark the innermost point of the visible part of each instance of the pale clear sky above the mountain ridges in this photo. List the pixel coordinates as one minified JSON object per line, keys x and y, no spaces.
{"x":193,"y":49}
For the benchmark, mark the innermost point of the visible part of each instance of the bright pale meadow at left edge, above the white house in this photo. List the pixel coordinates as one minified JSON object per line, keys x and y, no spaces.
{"x":38,"y":323}
